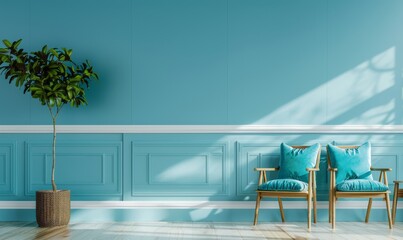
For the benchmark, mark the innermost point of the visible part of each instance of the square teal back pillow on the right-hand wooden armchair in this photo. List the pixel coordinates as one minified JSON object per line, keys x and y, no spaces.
{"x":352,"y":163}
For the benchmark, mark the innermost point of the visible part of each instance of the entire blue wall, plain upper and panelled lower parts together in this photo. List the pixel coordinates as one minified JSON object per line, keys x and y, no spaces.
{"x":201,"y":62}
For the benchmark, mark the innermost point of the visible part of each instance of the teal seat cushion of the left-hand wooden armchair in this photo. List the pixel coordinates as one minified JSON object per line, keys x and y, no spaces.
{"x":289,"y":185}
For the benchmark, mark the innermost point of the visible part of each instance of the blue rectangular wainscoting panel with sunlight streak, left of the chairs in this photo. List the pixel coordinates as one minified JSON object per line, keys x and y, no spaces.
{"x":179,"y":169}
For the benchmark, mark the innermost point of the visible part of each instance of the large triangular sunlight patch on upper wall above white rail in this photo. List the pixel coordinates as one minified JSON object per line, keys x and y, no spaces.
{"x":361,"y":95}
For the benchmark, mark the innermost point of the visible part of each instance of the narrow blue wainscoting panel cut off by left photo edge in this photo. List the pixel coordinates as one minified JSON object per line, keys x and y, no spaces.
{"x":8,"y":175}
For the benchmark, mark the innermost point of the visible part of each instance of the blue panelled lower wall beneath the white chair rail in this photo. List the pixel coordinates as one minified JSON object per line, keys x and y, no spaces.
{"x":160,"y":172}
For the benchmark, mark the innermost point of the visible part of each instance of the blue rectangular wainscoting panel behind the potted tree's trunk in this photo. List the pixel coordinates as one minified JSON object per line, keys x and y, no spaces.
{"x":89,"y":170}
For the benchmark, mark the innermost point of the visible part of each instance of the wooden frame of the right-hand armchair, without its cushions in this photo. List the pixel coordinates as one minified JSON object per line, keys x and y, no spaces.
{"x":334,"y":194}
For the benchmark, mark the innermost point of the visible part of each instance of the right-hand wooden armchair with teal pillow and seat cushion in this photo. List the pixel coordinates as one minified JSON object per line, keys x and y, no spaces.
{"x":351,"y":177}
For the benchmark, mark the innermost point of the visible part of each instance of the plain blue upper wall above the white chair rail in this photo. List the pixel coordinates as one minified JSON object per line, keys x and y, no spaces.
{"x":219,"y":61}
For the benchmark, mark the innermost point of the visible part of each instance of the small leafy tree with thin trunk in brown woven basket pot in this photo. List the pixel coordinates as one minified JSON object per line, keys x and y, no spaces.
{"x":51,"y":76}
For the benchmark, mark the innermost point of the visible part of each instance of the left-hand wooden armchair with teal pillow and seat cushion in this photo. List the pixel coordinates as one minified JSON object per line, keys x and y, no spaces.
{"x":296,"y":178}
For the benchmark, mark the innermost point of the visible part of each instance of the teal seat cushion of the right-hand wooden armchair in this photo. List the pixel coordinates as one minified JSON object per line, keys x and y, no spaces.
{"x":361,"y":185}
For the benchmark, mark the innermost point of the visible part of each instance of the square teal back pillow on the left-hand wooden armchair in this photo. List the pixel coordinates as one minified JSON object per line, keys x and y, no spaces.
{"x":295,"y":161}
